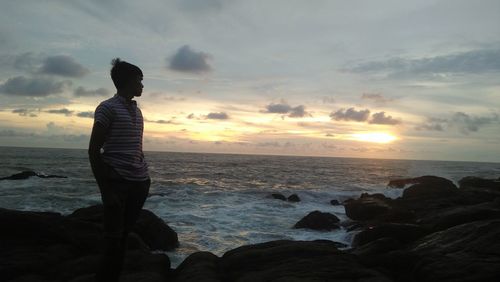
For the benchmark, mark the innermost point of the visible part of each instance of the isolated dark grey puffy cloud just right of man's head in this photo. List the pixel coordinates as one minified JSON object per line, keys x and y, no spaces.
{"x":187,"y":60}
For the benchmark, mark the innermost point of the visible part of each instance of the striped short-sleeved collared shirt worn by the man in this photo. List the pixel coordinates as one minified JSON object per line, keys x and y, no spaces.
{"x":122,"y":148}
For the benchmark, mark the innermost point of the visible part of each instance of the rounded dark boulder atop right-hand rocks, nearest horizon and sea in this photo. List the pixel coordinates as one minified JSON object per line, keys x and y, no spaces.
{"x":433,"y":187}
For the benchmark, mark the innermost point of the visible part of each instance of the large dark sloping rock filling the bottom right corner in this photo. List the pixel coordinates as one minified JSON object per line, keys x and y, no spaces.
{"x":467,"y":252}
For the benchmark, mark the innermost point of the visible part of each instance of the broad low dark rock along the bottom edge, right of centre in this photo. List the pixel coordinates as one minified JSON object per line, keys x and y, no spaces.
{"x":278,"y":261}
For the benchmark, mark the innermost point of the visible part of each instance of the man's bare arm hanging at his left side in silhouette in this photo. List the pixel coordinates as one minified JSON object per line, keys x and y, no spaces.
{"x":99,"y":168}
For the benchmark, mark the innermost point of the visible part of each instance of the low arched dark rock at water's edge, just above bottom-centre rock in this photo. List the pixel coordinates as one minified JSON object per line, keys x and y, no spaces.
{"x":403,"y":233}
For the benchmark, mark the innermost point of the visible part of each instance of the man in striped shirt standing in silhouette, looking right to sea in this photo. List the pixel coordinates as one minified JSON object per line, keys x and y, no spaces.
{"x":120,"y":169}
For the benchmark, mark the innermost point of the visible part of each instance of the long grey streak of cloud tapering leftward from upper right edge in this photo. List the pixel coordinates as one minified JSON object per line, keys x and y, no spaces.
{"x":476,"y":61}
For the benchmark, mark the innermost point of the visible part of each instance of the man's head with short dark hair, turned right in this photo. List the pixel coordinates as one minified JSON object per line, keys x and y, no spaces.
{"x":126,"y":77}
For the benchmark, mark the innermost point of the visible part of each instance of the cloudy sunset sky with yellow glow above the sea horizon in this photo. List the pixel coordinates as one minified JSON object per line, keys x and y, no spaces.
{"x":370,"y":79}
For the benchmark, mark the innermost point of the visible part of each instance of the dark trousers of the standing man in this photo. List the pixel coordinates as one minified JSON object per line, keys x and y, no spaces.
{"x":122,"y":201}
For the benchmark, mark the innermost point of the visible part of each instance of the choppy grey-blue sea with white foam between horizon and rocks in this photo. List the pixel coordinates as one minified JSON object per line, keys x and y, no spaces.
{"x":217,"y":202}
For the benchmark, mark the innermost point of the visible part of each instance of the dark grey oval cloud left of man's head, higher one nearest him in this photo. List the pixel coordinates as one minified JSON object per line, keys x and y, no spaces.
{"x":62,"y":65}
